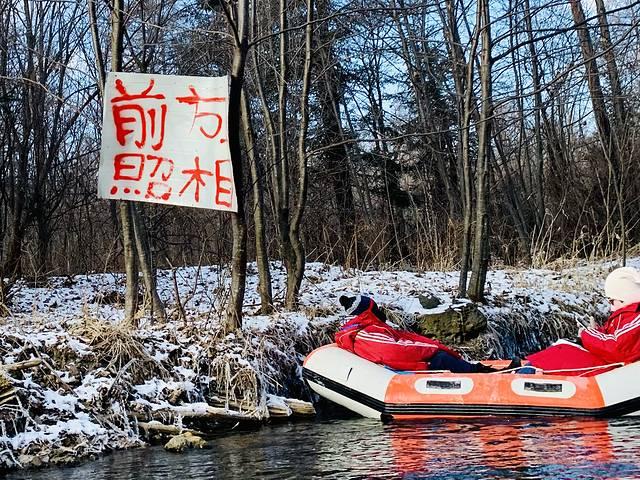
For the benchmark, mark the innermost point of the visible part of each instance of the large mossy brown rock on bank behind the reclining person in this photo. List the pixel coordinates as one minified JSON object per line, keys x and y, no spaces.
{"x":455,"y":325}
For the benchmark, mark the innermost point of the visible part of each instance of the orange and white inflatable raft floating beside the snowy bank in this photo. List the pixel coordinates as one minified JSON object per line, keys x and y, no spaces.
{"x":376,"y":391}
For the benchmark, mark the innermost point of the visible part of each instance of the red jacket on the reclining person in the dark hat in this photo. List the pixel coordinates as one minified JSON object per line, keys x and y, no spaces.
{"x":370,"y":338}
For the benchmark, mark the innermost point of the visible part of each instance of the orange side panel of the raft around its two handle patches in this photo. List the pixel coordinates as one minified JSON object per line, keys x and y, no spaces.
{"x":493,"y":389}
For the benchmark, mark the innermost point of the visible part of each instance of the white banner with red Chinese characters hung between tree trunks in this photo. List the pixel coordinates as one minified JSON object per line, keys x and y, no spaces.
{"x":164,"y":140}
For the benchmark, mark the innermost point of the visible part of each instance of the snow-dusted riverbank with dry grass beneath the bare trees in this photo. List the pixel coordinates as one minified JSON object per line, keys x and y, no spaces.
{"x":81,"y":398}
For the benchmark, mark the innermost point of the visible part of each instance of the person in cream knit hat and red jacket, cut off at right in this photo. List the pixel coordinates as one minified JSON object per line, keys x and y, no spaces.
{"x":601,"y":348}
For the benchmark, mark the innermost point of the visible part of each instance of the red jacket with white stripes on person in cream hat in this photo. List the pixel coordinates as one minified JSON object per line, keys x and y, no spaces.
{"x":618,"y":340}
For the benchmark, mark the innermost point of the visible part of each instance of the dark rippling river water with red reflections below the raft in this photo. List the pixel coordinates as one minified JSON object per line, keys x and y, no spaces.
{"x":359,"y":448}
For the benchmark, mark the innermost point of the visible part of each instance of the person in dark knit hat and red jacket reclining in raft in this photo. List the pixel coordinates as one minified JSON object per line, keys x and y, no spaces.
{"x":368,"y":336}
